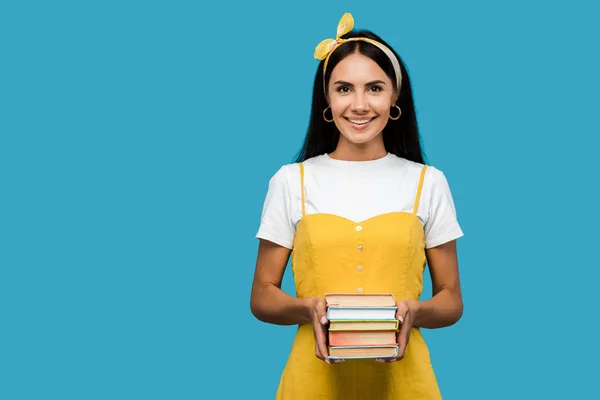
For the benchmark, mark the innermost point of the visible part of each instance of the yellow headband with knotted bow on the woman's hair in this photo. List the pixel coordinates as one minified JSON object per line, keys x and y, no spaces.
{"x":346,"y":24}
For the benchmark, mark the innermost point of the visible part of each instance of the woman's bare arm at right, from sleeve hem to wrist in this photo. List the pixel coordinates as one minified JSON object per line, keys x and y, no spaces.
{"x":445,"y":307}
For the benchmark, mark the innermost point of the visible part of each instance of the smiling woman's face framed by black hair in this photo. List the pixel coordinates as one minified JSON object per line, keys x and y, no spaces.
{"x":360,"y":96}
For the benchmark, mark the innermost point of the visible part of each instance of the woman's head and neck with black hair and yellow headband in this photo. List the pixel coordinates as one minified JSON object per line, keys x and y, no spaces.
{"x":361,"y":76}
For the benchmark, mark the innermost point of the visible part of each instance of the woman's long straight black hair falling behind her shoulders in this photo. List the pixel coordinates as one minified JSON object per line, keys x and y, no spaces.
{"x":400,"y":137}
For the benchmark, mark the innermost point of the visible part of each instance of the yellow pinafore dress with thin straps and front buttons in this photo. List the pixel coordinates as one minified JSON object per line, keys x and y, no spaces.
{"x":385,"y":253}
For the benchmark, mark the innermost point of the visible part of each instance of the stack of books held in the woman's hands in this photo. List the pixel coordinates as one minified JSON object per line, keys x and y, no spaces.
{"x":361,"y":325}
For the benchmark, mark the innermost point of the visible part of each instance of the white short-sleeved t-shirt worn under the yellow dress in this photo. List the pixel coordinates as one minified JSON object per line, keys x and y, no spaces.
{"x":358,"y":190}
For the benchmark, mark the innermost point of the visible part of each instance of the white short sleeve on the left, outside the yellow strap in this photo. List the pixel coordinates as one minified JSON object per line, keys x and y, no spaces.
{"x":276,"y":223}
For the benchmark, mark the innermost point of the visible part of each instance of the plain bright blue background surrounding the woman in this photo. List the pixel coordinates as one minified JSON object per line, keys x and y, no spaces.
{"x":136,"y":144}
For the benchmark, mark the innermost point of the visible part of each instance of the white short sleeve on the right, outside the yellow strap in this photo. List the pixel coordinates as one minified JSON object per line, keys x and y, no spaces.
{"x":442,"y":225}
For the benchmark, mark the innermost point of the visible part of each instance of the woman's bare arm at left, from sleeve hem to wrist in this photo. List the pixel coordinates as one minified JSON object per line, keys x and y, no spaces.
{"x":268,"y":302}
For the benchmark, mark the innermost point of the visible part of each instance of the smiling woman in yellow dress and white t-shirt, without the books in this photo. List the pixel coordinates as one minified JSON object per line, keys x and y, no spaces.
{"x":362,"y":214}
